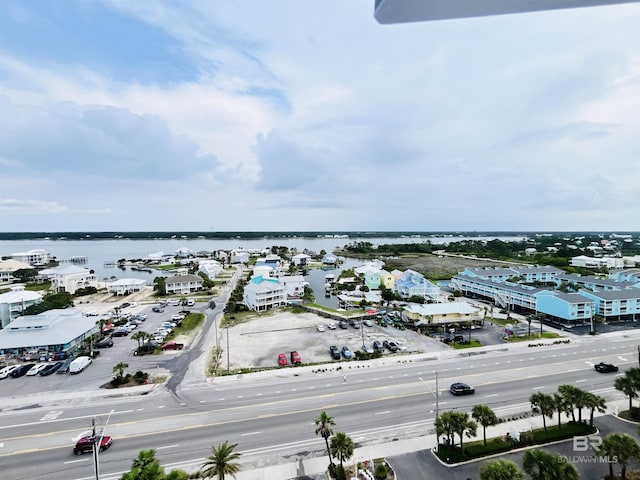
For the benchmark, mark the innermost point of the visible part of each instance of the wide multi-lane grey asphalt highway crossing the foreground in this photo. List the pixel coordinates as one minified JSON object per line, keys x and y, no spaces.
{"x":271,"y":418}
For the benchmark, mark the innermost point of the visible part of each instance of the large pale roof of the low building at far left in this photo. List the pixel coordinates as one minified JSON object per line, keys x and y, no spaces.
{"x":53,"y":327}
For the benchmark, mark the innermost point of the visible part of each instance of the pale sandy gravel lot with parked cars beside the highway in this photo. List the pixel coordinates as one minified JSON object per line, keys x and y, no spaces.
{"x":258,"y":342}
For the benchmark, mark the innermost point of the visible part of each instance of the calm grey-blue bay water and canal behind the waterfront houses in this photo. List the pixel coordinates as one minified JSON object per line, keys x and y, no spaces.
{"x":99,"y":252}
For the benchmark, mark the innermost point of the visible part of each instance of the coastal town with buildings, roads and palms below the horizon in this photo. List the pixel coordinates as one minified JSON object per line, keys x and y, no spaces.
{"x":463,"y":346}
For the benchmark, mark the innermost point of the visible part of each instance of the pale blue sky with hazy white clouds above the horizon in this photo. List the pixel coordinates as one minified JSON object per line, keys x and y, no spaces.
{"x":291,"y":115}
